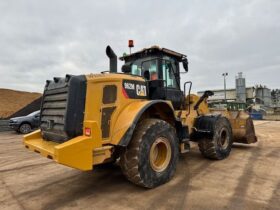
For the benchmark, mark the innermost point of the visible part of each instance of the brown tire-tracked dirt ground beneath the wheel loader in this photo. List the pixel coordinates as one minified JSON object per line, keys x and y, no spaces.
{"x":248,"y":179}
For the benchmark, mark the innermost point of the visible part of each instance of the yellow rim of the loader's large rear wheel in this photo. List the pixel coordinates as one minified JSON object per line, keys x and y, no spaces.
{"x":160,"y":154}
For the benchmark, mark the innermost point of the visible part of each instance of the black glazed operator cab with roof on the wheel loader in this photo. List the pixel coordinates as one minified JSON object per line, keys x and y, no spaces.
{"x":160,"y":68}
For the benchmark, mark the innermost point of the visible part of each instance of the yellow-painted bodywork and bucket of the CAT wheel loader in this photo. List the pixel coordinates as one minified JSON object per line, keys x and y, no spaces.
{"x":84,"y":151}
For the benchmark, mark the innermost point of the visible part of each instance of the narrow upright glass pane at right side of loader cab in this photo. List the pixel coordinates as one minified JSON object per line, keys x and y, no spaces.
{"x":168,"y":74}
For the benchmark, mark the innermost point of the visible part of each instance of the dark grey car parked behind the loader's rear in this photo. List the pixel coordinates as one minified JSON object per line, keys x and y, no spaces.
{"x":26,"y":123}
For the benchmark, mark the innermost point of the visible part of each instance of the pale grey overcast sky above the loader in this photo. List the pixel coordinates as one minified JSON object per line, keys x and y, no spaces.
{"x":43,"y":39}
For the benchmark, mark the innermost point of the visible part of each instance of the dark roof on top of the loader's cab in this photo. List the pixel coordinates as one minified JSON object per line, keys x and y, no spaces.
{"x":154,"y":50}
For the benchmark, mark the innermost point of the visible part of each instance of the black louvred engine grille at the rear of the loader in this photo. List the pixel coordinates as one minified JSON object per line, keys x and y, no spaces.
{"x":62,"y":109}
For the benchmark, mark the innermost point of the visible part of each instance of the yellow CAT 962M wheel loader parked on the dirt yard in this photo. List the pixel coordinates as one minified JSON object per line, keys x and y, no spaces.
{"x":140,"y":117}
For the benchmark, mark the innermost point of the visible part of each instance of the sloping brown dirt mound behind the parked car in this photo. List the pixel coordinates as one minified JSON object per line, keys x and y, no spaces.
{"x":8,"y":104}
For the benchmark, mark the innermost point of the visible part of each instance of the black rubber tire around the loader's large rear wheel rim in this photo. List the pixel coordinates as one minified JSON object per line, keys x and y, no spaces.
{"x":135,"y":159}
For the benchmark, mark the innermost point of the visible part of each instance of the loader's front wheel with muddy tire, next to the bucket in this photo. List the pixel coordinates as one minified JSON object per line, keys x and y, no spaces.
{"x":220,"y":145}
